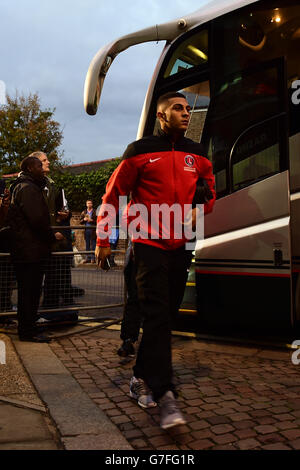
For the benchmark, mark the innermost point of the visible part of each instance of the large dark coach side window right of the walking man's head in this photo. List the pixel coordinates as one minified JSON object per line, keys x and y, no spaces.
{"x":241,"y":101}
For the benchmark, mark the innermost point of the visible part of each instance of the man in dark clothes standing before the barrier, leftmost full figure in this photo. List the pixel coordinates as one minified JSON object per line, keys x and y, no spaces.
{"x":32,"y":237}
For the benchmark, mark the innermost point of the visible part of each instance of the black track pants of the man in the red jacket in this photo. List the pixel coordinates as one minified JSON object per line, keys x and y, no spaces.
{"x":161,"y":278}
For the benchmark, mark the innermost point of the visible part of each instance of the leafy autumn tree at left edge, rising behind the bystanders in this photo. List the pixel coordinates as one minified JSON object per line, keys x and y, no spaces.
{"x":25,"y":128}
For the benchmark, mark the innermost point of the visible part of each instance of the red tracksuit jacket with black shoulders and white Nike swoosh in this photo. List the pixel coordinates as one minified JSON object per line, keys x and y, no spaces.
{"x":155,"y":172}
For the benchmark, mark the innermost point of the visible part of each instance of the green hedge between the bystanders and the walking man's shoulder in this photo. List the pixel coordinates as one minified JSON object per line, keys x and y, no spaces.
{"x":79,"y":188}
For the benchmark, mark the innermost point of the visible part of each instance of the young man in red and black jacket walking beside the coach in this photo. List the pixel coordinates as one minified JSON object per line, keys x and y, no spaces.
{"x":161,"y":170}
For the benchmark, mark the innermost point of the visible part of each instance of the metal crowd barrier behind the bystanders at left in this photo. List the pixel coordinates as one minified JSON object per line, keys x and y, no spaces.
{"x":69,"y":284}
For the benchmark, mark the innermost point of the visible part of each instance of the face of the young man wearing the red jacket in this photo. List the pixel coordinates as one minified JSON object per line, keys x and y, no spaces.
{"x":174,"y":115}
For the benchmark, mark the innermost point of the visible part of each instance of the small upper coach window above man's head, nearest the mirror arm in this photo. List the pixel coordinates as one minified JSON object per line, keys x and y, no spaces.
{"x":191,"y":53}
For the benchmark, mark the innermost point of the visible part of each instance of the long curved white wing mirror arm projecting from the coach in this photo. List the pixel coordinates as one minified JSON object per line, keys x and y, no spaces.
{"x":103,"y":59}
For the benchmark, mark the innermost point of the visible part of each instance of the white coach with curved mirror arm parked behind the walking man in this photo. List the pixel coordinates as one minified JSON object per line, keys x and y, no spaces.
{"x":238,"y":63}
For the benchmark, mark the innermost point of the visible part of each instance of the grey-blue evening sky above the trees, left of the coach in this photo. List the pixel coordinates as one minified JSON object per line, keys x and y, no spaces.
{"x":46,"y":46}
